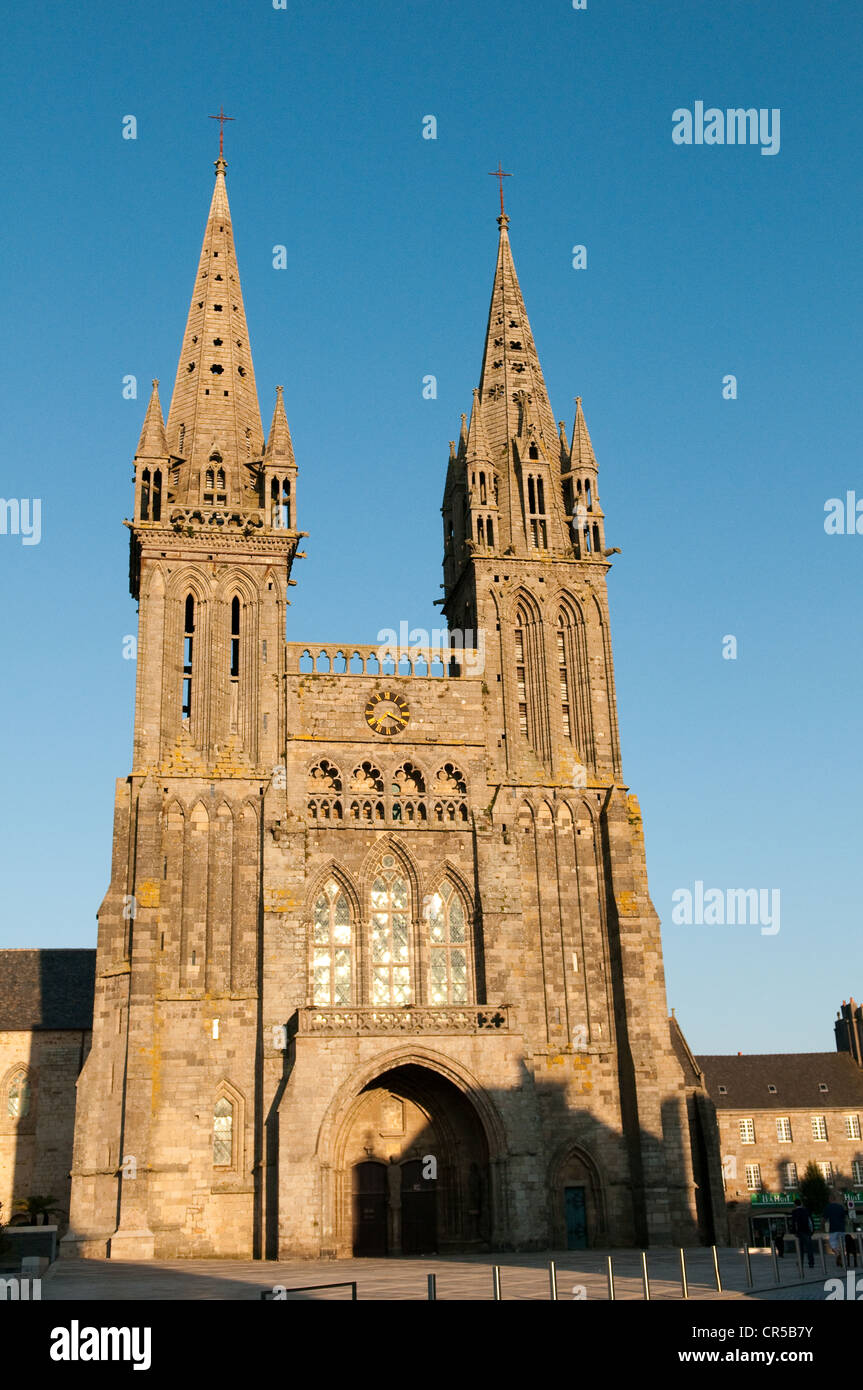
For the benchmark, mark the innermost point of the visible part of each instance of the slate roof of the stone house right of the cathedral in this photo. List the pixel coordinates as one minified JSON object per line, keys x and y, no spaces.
{"x":796,"y":1075}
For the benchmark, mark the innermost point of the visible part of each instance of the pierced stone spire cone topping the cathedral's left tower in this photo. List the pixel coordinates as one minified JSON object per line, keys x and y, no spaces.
{"x":215,"y":409}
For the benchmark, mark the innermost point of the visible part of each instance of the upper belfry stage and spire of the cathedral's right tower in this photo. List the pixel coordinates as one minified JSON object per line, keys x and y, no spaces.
{"x":526,"y":562}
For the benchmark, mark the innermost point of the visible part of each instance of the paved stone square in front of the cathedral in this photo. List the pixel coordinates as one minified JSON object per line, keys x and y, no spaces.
{"x":523,"y":1278}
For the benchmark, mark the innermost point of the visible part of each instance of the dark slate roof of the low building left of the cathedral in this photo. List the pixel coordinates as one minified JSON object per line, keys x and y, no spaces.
{"x":49,"y":989}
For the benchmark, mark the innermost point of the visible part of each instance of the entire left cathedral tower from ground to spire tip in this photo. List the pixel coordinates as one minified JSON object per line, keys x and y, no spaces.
{"x":212,"y":543}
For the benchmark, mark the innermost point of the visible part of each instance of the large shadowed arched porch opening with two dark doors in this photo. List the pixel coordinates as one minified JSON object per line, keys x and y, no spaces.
{"x":416,"y":1157}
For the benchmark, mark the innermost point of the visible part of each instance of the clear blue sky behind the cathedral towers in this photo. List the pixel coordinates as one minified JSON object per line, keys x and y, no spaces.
{"x":702,"y":262}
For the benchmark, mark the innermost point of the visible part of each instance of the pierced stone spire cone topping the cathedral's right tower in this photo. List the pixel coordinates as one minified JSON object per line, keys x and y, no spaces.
{"x":511,"y":362}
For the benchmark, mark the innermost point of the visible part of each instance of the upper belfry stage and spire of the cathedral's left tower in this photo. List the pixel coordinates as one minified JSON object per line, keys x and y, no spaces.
{"x":213,"y":536}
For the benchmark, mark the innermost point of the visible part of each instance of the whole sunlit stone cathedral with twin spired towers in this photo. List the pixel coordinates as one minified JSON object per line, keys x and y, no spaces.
{"x":377,"y":968}
